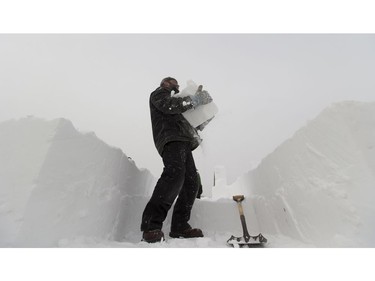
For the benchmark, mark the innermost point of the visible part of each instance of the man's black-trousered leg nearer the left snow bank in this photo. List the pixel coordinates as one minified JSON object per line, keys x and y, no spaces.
{"x":168,"y":186}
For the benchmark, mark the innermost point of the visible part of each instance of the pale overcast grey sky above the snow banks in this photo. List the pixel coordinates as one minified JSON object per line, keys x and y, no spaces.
{"x":266,"y":86}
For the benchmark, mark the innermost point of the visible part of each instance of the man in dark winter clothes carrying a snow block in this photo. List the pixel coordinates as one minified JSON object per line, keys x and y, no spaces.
{"x":175,"y":139}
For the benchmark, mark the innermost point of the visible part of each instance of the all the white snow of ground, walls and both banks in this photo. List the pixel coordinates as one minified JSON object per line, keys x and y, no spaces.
{"x":63,"y":188}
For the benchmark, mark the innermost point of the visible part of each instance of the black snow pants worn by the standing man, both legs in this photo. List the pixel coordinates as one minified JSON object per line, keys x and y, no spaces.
{"x":179,"y":178}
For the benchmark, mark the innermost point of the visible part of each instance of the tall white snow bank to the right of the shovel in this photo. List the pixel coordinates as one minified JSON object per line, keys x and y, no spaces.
{"x":319,"y":186}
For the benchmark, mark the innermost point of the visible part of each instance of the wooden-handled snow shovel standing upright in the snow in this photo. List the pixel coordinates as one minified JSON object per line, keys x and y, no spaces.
{"x":246,"y":240}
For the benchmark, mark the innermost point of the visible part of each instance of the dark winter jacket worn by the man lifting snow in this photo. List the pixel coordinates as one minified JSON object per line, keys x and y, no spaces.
{"x":168,"y":124}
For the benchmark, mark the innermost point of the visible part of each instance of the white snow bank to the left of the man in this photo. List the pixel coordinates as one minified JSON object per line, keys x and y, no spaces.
{"x":57,"y":183}
